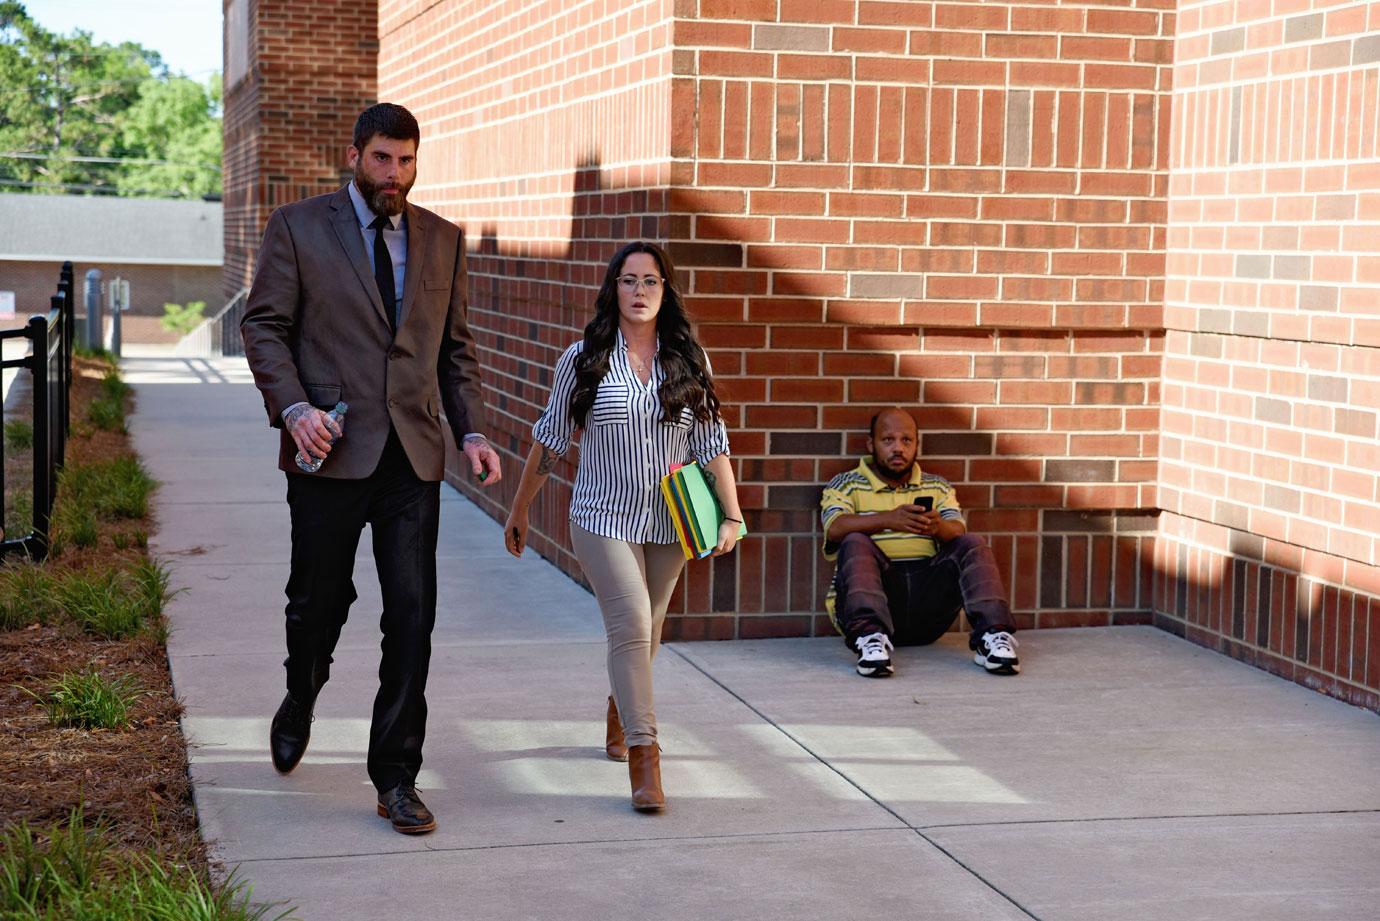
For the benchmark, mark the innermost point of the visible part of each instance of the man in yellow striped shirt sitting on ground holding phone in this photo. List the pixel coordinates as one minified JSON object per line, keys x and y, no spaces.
{"x":906,"y":561}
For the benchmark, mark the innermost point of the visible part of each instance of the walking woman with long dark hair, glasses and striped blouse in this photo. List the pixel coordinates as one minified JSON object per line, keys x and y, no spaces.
{"x":640,"y":387}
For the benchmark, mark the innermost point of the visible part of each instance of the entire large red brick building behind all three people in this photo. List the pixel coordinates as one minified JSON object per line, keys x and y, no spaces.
{"x":1120,"y":259}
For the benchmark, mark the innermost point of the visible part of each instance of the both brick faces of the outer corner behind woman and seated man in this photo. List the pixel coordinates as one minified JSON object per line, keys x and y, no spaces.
{"x":954,"y":208}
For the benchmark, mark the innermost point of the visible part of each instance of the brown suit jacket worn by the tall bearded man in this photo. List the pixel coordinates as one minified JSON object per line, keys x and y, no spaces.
{"x":315,"y":331}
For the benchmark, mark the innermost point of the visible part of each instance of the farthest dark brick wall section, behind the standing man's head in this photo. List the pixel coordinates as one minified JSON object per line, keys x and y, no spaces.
{"x":311,"y":71}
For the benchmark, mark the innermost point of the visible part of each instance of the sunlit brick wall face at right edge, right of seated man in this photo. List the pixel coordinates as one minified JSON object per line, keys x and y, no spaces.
{"x":1270,"y":473}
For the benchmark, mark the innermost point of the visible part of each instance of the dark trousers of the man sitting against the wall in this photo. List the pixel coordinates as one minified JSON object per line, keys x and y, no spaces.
{"x":917,"y":601}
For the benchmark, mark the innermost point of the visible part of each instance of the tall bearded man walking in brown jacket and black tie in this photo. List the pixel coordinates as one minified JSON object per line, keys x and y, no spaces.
{"x":359,"y":298}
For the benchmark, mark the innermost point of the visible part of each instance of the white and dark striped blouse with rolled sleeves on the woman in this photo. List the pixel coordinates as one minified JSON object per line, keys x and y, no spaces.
{"x":626,"y":448}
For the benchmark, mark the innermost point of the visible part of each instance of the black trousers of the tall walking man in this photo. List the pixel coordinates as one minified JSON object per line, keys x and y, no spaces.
{"x":328,"y":520}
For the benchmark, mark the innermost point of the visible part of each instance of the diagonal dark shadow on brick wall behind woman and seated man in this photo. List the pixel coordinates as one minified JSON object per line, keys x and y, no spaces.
{"x":791,"y":425}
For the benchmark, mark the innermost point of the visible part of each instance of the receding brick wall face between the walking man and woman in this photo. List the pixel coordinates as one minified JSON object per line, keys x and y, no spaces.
{"x":546,"y":136}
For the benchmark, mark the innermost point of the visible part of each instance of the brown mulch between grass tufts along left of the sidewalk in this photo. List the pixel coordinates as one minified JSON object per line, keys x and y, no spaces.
{"x":135,"y":781}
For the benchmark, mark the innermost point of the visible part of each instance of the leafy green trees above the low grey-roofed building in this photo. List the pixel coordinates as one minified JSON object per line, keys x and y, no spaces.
{"x":70,"y":106}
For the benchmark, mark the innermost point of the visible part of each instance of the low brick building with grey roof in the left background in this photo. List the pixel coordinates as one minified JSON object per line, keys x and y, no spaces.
{"x":170,"y":252}
